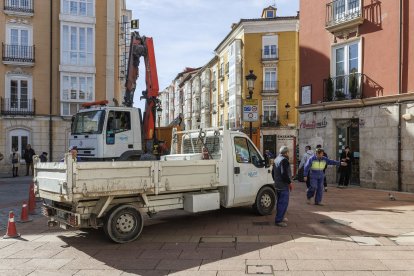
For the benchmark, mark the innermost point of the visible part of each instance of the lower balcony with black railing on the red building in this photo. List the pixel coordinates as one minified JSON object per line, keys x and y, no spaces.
{"x":347,"y":87}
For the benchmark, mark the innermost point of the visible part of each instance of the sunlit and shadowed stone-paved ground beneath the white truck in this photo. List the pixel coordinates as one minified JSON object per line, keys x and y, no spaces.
{"x":358,"y":232}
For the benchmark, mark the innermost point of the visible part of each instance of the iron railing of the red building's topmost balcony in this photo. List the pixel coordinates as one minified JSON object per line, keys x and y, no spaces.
{"x":343,"y":11}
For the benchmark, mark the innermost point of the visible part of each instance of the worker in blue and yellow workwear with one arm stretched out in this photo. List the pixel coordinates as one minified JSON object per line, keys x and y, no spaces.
{"x":315,"y":167}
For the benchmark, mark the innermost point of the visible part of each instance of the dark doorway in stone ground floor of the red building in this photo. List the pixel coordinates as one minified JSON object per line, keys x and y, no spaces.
{"x":348,"y":134}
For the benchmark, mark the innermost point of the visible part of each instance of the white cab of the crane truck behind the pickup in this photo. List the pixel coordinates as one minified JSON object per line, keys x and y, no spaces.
{"x":107,"y":133}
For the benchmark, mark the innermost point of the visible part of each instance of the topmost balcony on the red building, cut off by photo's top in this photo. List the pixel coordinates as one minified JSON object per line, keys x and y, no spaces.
{"x":343,"y":15}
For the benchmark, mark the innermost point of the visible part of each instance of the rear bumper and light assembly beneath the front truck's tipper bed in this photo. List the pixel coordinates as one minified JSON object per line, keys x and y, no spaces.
{"x":61,"y":217}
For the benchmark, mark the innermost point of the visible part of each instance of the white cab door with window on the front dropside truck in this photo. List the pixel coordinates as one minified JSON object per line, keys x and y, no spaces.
{"x":249,"y":172}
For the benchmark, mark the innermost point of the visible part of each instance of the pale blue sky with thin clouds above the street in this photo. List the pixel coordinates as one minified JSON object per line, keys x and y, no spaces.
{"x":186,"y":32}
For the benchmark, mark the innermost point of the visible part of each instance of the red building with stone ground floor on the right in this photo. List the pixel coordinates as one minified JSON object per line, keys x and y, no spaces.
{"x":355,"y":87}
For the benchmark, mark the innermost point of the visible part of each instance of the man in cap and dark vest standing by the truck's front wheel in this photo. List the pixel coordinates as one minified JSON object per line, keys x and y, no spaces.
{"x":282,"y":176}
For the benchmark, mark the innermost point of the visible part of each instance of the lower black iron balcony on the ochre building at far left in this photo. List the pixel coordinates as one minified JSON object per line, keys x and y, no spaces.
{"x":16,"y":107}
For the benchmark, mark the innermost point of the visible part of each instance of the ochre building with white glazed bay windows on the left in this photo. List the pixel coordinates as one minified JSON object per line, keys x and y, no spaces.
{"x":56,"y":55}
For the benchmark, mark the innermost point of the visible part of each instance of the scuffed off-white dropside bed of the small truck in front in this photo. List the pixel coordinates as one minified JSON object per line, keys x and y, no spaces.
{"x":72,"y":181}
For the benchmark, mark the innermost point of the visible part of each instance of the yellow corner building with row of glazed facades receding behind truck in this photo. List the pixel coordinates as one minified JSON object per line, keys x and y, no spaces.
{"x":268,"y":46}
